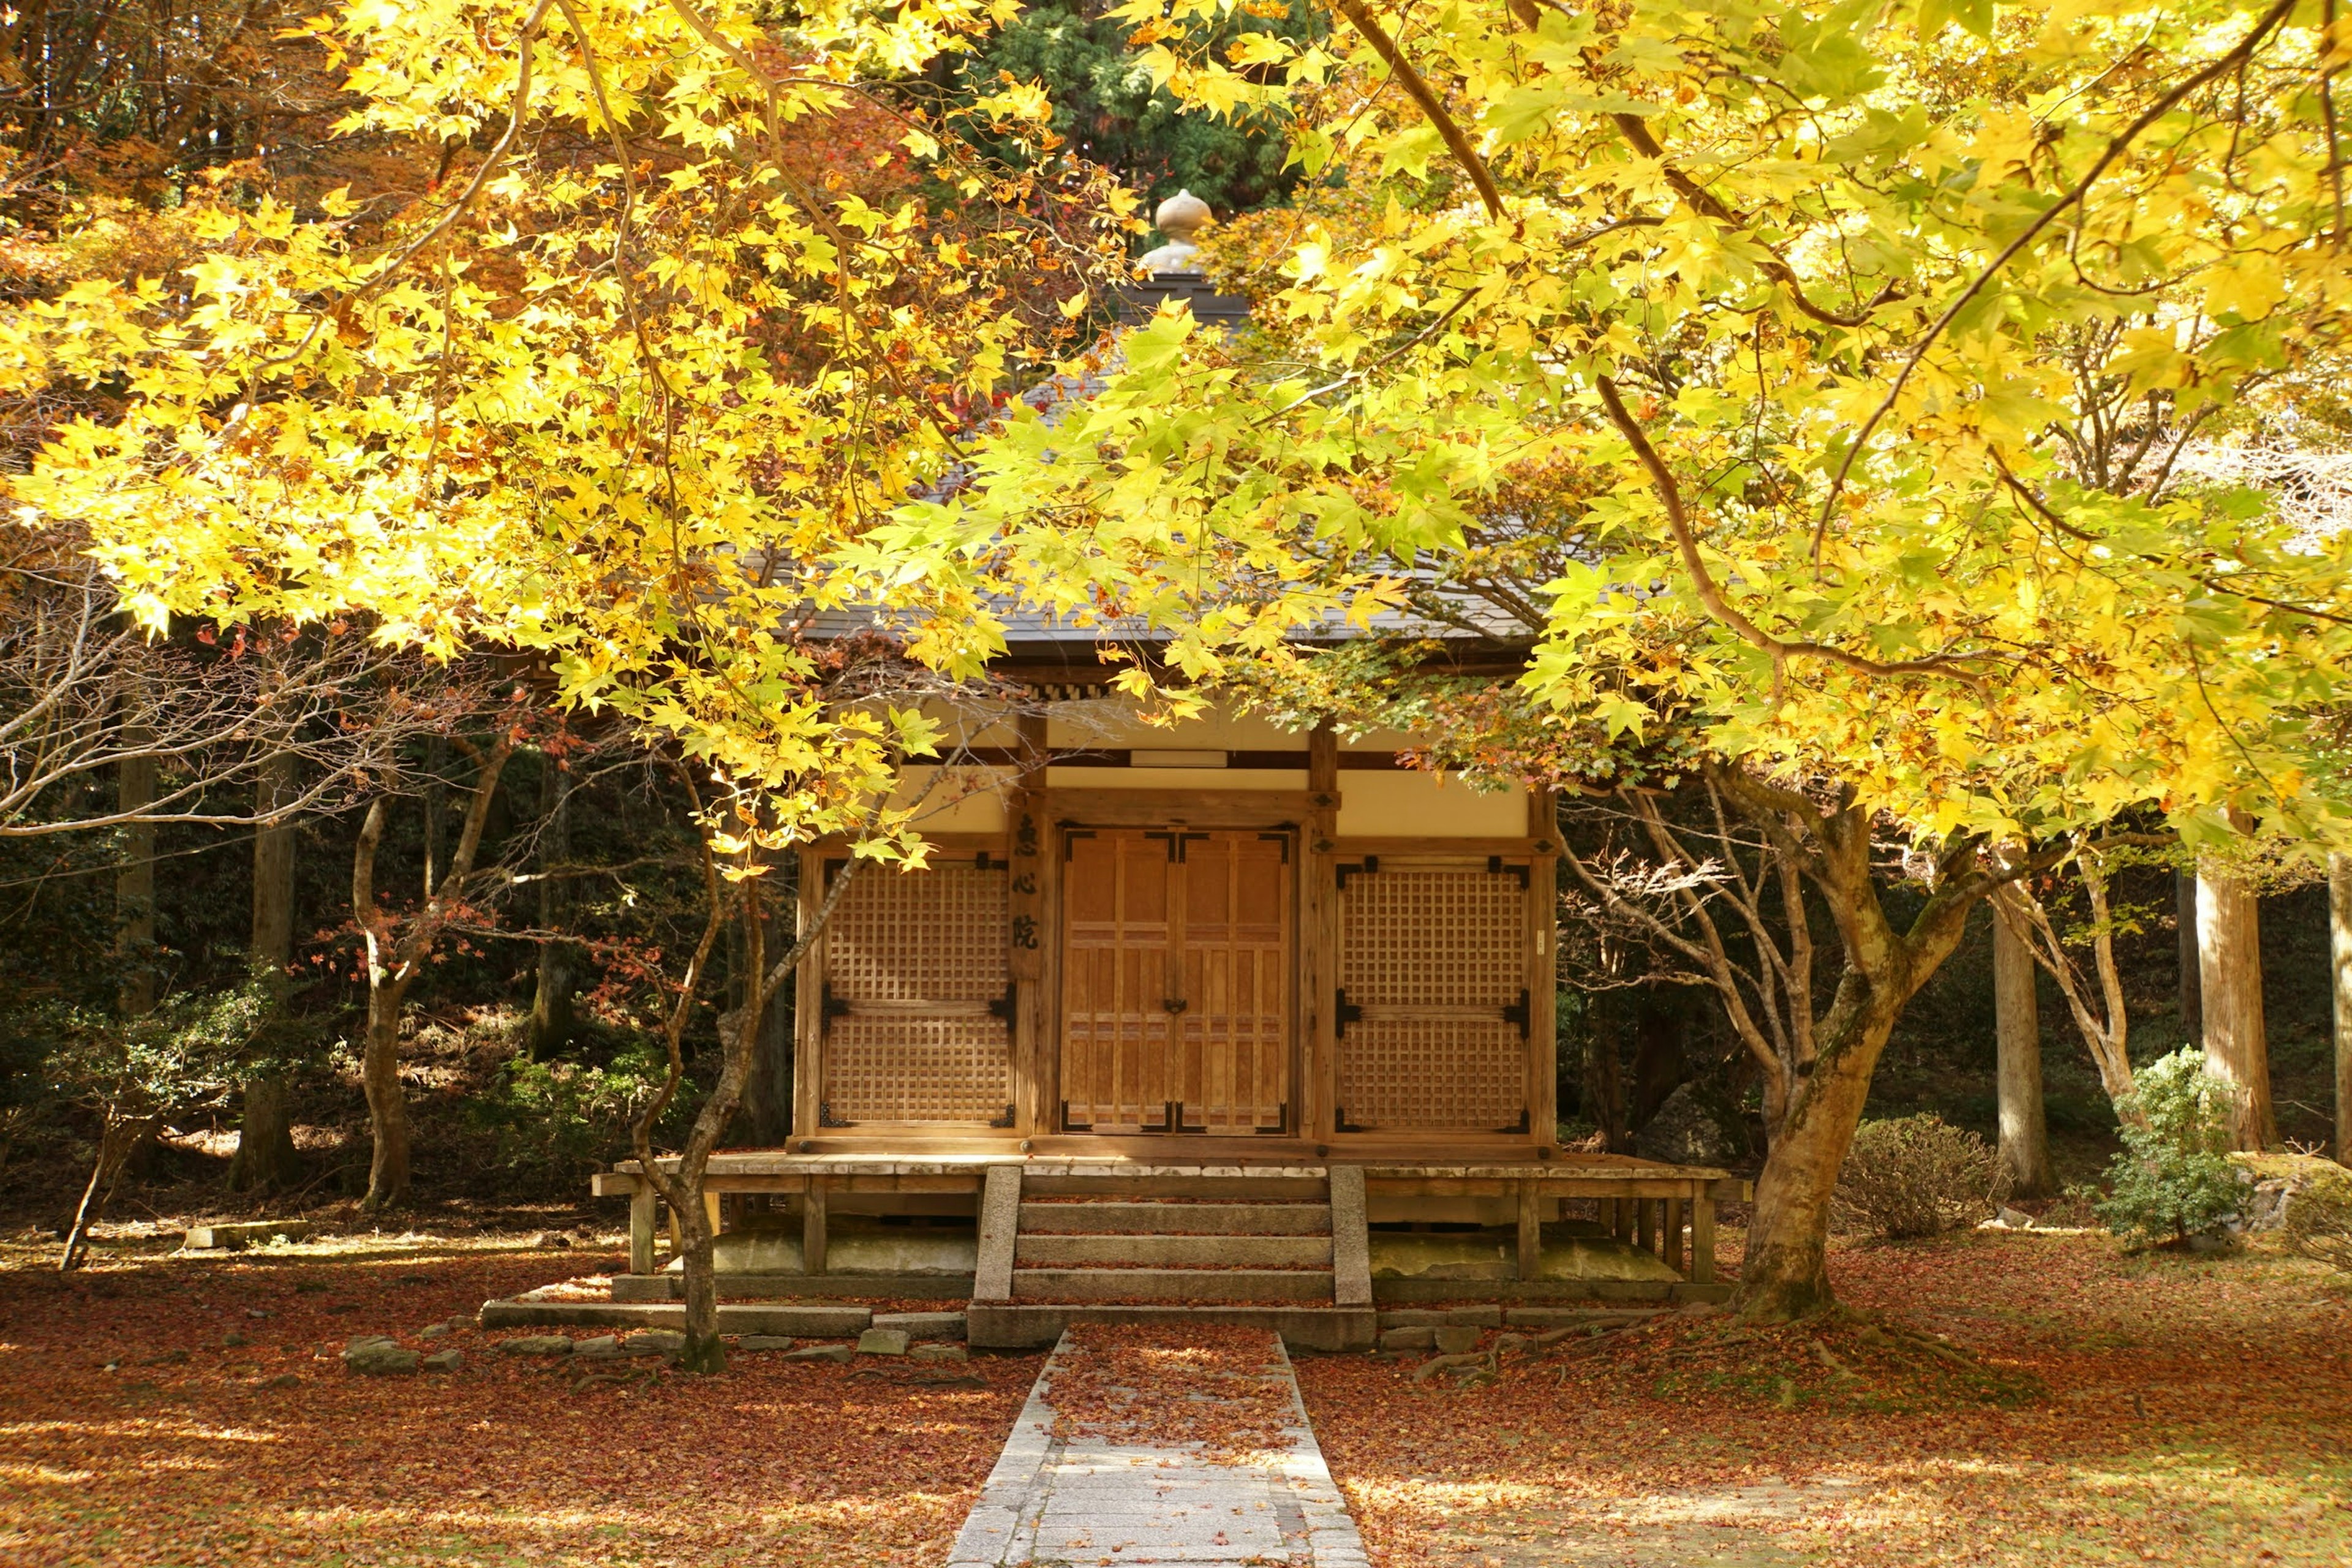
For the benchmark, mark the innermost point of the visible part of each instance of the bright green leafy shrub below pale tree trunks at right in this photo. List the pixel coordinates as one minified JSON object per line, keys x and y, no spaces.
{"x":2174,"y":1177}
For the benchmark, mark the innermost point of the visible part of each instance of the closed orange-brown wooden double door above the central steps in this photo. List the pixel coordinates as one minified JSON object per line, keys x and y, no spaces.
{"x":1177,"y":981}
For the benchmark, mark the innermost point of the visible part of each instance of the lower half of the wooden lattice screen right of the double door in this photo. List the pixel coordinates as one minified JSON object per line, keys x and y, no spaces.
{"x":1434,"y":1073}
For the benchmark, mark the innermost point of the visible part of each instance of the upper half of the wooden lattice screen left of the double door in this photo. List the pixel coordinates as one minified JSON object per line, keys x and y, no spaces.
{"x":921,"y":937}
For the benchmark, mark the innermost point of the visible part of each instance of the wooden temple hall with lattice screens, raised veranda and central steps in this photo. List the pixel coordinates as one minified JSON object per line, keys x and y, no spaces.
{"x":1212,"y":1019}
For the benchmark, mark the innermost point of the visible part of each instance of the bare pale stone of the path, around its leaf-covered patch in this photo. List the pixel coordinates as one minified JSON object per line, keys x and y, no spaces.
{"x":1088,"y":1501}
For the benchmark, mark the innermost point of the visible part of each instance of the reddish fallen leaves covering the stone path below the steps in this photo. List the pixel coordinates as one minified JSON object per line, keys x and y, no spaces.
{"x":1170,"y":1383}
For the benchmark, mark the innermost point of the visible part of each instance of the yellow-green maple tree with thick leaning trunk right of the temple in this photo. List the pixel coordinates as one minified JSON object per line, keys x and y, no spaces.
{"x":1829,"y":302}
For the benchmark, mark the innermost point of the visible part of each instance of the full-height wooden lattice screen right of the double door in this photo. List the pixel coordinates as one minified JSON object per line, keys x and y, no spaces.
{"x":1434,"y":1003}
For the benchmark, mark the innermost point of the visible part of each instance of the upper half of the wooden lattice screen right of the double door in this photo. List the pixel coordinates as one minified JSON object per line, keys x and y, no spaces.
{"x":1434,"y":937}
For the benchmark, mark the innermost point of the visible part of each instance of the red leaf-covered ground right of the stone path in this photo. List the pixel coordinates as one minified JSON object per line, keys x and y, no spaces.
{"x":1993,"y":1400}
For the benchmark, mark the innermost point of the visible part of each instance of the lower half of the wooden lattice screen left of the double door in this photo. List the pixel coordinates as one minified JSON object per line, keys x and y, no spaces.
{"x":902,"y":1068}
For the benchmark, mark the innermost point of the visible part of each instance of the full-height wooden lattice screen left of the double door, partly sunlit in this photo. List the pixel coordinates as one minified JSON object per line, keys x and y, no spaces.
{"x":918,"y":998}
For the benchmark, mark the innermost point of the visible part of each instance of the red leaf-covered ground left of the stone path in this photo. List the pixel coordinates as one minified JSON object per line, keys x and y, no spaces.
{"x":229,"y":1430}
